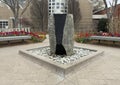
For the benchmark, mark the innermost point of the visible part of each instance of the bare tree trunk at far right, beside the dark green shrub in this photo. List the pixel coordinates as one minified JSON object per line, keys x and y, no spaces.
{"x":110,"y":11}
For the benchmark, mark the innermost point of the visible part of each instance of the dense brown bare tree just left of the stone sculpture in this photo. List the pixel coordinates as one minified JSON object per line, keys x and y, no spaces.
{"x":39,"y":14}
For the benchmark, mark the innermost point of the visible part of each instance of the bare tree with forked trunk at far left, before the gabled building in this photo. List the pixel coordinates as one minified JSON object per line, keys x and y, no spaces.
{"x":14,"y":5}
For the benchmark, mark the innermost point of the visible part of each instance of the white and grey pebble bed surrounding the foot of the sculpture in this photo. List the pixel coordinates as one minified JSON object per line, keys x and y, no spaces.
{"x":62,"y":59}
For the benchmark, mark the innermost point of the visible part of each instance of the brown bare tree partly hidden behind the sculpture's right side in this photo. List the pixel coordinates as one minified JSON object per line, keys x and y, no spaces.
{"x":74,"y":8}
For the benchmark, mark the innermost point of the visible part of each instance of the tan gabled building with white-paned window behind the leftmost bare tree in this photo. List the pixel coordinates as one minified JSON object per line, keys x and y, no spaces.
{"x":6,"y":16}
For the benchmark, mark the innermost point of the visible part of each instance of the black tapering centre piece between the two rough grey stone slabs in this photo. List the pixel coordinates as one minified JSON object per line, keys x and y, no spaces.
{"x":59,"y":28}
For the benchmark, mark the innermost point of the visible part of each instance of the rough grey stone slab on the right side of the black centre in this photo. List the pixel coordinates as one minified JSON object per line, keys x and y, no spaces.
{"x":68,"y":35}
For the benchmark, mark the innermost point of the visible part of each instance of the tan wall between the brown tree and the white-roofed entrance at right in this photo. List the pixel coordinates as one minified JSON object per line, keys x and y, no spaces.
{"x":86,"y":23}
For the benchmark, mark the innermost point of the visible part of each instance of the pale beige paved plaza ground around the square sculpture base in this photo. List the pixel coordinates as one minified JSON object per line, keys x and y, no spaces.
{"x":17,"y":70}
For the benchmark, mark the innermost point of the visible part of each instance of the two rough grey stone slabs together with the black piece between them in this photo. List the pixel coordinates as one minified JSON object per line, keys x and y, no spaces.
{"x":61,"y":34}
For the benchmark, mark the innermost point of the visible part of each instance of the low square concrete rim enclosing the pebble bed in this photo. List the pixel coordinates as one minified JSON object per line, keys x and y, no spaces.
{"x":63,"y":69}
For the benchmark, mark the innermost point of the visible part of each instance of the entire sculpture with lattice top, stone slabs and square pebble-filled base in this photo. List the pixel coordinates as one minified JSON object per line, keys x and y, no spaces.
{"x":61,"y":55}
